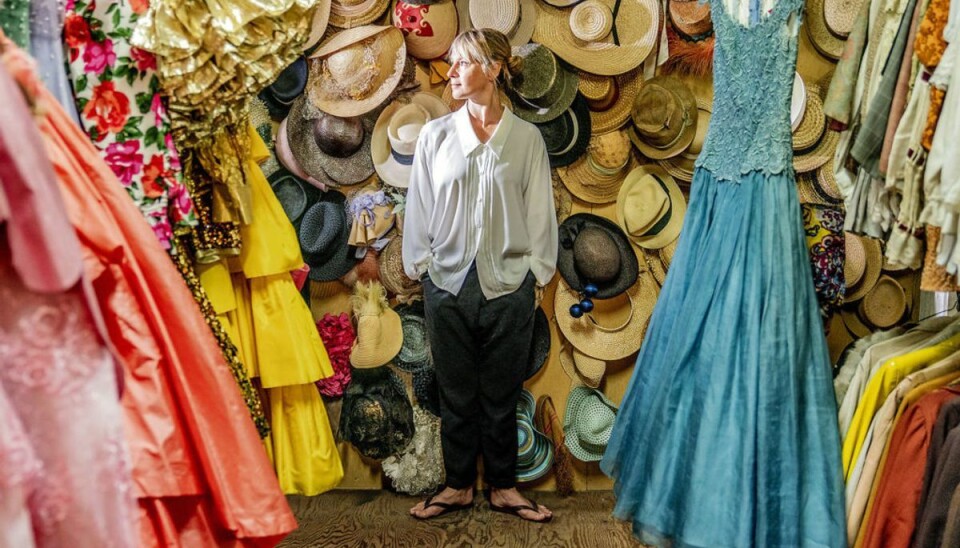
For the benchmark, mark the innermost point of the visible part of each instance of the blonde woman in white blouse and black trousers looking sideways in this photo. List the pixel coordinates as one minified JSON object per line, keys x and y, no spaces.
{"x":480,"y":224}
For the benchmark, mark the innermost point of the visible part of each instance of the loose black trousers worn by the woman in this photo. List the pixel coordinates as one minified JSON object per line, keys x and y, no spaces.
{"x":480,"y":351}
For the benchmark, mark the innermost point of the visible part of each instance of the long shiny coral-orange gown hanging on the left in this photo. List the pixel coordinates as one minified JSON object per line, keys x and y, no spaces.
{"x":188,"y":427}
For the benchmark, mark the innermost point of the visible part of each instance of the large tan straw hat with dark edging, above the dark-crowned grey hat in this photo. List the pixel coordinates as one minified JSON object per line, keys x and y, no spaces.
{"x":356,"y":70}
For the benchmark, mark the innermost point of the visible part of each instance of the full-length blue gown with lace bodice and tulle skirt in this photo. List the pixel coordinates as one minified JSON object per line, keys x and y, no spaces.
{"x":727,"y":435}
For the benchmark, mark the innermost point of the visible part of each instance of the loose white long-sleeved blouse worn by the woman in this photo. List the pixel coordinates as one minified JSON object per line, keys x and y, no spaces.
{"x":490,"y":202}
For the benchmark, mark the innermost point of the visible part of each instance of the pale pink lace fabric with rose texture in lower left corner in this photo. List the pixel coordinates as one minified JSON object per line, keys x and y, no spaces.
{"x":61,"y":434}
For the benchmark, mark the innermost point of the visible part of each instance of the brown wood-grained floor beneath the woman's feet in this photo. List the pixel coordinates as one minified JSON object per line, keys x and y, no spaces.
{"x":379,"y":518}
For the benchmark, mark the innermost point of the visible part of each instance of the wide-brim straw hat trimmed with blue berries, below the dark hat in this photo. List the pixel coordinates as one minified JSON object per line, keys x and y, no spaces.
{"x":615,"y":327}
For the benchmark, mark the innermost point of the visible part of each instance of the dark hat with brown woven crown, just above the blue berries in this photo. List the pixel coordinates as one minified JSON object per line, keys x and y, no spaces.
{"x":594,"y":250}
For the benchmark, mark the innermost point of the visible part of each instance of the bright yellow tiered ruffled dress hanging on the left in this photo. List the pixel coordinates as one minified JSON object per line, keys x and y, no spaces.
{"x":272,"y":326}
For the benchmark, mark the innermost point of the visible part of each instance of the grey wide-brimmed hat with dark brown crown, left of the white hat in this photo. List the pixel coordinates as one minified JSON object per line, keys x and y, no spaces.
{"x":329,"y":147}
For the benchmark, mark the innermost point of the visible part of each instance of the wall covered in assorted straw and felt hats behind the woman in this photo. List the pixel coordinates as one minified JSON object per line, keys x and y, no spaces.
{"x":621,"y":91}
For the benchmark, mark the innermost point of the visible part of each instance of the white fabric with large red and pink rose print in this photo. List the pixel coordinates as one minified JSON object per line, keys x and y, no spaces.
{"x":118,"y":97}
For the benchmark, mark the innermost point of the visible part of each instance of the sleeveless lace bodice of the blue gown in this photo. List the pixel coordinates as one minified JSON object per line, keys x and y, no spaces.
{"x":752,"y":87}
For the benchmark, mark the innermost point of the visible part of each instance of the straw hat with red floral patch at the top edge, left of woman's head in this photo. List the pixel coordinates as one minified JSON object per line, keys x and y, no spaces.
{"x":428,"y":29}
